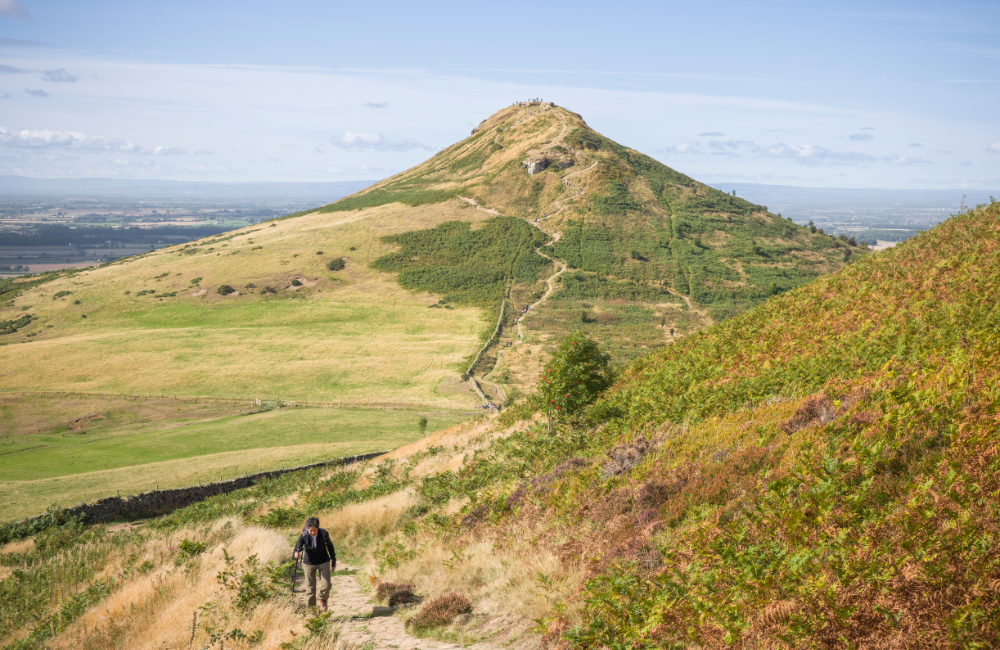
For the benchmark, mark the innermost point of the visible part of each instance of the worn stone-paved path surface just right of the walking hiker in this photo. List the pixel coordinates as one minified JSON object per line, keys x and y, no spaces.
{"x":352,"y":608}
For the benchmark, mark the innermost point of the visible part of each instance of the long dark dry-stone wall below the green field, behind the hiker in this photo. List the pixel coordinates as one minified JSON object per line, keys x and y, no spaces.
{"x":162,"y":501}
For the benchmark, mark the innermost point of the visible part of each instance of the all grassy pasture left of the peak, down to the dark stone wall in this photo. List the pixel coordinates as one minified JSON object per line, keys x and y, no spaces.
{"x":291,"y":329}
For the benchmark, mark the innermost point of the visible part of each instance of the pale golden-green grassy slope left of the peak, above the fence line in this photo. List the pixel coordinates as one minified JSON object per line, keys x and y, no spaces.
{"x":291,"y":328}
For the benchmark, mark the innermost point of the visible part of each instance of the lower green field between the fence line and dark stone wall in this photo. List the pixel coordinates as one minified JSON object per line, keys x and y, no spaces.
{"x":132,"y":451}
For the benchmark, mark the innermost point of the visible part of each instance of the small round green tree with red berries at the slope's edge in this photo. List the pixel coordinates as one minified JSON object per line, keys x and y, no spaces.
{"x":578,"y":372}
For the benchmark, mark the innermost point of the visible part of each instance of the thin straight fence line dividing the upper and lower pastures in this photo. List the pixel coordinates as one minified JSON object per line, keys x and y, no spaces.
{"x":393,"y":404}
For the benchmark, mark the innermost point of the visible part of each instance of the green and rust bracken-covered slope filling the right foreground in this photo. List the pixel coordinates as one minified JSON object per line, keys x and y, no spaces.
{"x":818,"y":472}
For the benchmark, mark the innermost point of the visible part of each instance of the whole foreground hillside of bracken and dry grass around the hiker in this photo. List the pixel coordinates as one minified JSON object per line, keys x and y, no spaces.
{"x":819,"y":472}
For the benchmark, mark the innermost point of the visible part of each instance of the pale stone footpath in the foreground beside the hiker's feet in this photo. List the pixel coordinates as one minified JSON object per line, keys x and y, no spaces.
{"x":352,"y":608}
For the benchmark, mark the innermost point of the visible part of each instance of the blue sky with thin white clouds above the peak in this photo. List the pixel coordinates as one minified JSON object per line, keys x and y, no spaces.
{"x":872,"y":94}
